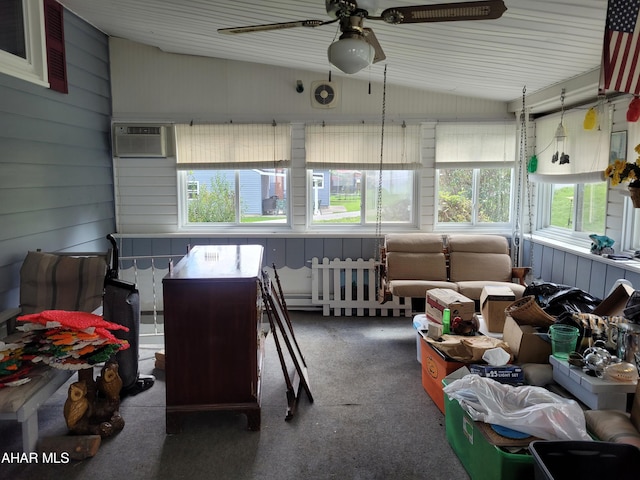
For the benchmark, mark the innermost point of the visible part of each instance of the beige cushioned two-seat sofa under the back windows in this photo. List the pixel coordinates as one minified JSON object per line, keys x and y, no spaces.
{"x":417,"y":262}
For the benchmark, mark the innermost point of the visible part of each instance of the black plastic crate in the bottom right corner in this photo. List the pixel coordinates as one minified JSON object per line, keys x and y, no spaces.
{"x":555,"y":460}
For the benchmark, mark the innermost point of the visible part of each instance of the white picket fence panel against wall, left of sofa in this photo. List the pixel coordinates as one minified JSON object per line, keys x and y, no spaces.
{"x":348,"y":287}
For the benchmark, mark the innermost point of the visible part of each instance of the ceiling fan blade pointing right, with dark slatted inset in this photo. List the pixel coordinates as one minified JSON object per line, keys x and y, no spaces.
{"x":444,"y":12}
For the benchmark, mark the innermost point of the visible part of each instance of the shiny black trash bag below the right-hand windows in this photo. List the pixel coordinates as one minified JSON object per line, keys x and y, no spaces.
{"x":556,"y":299}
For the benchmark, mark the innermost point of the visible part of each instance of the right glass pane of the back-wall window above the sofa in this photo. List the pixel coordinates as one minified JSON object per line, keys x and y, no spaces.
{"x":494,"y":197}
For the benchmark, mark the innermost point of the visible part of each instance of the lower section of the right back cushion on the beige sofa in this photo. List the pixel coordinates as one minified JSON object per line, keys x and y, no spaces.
{"x":466,"y":266}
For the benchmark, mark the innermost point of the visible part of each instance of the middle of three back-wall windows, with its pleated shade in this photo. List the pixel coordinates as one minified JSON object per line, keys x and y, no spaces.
{"x":347,"y":174}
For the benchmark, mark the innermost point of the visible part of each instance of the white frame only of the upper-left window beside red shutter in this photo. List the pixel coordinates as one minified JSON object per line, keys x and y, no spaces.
{"x":34,"y":68}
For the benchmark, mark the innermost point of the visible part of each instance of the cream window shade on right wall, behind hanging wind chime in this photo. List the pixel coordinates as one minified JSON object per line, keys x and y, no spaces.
{"x":588,"y":150}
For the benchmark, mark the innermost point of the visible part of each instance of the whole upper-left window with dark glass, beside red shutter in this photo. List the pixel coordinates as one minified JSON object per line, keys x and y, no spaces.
{"x":22,"y":40}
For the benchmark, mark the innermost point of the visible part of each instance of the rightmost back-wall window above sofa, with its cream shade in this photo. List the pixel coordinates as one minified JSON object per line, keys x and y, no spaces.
{"x":474,"y":173}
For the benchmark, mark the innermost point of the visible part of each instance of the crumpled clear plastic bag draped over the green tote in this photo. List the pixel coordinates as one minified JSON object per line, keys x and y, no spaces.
{"x":528,"y":409}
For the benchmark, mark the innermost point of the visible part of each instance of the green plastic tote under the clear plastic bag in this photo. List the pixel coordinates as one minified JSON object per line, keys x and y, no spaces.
{"x":484,"y":454}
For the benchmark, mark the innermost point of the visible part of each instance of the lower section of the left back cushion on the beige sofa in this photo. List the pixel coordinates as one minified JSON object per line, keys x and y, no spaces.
{"x":416,"y":266}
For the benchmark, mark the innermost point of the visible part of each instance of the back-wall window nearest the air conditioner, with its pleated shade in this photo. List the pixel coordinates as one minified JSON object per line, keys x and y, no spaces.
{"x":233,"y":174}
